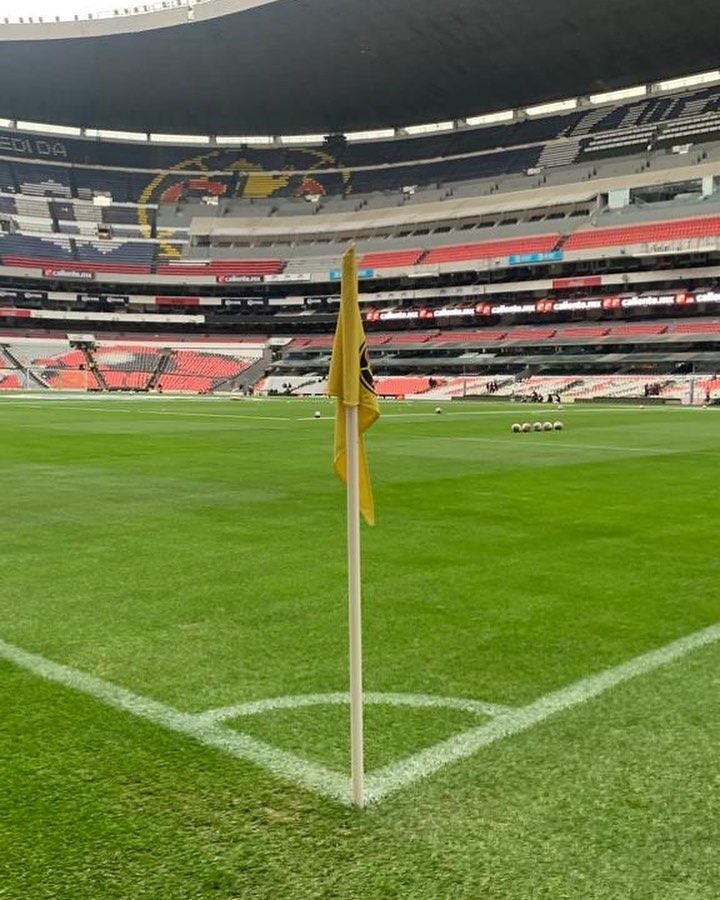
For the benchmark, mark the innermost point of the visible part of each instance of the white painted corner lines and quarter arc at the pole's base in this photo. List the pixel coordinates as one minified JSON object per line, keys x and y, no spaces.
{"x":208,"y":727}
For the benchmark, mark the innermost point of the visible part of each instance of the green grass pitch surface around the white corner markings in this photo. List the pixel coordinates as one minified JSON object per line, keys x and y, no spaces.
{"x":192,"y":552}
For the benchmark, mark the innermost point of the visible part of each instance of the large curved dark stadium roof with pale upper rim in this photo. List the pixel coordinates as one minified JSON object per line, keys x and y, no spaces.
{"x":246,"y":67}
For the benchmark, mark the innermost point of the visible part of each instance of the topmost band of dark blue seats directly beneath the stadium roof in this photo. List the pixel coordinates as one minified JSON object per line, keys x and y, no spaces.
{"x":150,"y":173}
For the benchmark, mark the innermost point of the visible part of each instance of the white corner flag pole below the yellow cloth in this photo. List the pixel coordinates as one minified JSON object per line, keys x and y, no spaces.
{"x":357,"y":765}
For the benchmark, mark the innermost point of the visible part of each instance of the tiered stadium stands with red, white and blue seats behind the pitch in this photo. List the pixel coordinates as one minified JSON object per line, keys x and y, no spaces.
{"x":111,"y":210}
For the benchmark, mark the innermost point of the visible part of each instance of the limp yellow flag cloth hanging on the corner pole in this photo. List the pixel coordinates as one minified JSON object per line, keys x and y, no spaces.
{"x":351,"y":382}
